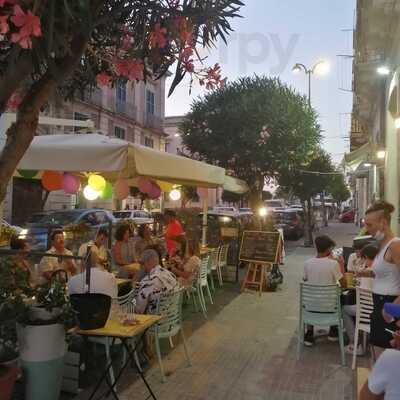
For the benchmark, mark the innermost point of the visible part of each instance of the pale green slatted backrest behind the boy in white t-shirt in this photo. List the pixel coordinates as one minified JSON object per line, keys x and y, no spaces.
{"x":320,"y":298}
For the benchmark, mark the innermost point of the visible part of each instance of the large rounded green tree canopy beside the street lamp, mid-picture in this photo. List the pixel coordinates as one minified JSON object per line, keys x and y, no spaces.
{"x":255,"y":127}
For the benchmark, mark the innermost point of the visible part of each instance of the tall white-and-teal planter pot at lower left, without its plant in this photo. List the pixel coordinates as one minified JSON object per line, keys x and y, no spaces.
{"x":42,"y":350}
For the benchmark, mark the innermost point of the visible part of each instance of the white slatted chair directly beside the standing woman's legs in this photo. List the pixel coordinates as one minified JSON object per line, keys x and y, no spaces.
{"x":365,"y":306}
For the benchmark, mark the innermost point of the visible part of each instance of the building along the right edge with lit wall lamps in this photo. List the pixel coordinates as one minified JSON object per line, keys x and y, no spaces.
{"x":373,"y":162}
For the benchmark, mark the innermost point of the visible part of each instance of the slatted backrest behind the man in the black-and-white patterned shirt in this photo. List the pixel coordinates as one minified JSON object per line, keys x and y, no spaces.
{"x":169,"y":306}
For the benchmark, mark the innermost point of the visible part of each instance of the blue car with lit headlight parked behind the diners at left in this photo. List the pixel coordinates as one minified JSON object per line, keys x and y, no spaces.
{"x":37,"y":234}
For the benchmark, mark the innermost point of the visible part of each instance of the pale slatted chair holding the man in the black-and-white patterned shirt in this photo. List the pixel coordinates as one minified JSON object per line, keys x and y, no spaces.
{"x":169,"y":306}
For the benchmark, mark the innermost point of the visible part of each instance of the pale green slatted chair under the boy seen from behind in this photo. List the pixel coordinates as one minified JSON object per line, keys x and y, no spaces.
{"x":320,"y":306}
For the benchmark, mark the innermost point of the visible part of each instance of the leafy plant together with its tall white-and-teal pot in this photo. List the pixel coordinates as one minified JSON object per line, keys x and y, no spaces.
{"x":41,"y":329}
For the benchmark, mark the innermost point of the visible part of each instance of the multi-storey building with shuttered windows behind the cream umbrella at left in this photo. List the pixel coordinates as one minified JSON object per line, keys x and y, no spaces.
{"x":131,"y":111}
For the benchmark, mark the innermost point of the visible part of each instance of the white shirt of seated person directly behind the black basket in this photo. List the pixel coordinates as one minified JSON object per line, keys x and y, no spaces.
{"x":100,"y":282}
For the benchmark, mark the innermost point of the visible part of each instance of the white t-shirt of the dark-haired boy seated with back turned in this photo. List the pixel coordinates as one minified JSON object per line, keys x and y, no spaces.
{"x":322,"y":271}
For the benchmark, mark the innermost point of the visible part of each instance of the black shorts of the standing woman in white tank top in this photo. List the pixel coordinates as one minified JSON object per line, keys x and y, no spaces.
{"x":379,"y":337}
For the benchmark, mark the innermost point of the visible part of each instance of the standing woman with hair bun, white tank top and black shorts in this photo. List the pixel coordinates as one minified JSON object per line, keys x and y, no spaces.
{"x":385,"y":271}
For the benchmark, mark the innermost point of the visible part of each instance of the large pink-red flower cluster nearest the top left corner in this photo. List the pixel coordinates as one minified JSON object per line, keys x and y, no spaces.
{"x":29,"y":25}
